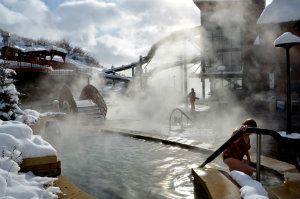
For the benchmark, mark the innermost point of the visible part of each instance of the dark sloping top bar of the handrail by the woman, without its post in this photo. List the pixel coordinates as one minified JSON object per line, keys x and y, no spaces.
{"x":277,"y":136}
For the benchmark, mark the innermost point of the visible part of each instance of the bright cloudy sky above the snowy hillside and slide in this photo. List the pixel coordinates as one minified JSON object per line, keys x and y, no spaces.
{"x":115,"y":32}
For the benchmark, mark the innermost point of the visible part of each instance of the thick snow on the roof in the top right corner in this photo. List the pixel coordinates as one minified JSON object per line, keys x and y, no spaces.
{"x":280,"y":11}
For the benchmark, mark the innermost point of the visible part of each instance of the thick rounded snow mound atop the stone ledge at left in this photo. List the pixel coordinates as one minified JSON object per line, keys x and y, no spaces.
{"x":18,"y":134}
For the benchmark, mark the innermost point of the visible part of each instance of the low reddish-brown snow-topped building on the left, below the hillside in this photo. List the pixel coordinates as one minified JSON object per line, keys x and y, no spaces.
{"x":42,"y":70}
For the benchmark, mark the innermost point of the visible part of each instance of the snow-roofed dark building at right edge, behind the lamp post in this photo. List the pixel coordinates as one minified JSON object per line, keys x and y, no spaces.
{"x":277,"y":18}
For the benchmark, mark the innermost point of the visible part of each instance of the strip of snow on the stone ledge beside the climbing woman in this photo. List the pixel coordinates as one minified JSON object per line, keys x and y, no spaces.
{"x":251,"y":189}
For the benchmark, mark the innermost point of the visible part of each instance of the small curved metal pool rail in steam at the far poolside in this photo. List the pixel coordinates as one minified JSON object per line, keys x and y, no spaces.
{"x":183,"y":121}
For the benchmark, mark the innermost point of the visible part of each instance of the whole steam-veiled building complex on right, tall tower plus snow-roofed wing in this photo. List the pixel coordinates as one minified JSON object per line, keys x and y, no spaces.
{"x":238,"y":49}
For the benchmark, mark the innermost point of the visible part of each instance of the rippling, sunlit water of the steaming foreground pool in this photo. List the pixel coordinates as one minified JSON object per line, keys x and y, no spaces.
{"x":112,"y":166}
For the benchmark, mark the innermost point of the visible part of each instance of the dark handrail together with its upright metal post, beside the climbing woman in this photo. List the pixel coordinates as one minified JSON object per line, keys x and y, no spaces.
{"x":286,"y":142}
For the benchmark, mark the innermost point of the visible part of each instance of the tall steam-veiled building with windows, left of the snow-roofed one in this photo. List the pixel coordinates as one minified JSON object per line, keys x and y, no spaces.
{"x":230,"y":31}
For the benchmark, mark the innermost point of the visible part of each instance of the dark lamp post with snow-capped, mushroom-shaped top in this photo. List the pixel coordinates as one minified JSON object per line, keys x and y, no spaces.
{"x":287,"y":40}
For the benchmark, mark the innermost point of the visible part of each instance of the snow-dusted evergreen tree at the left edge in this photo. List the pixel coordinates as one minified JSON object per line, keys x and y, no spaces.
{"x":9,"y":96}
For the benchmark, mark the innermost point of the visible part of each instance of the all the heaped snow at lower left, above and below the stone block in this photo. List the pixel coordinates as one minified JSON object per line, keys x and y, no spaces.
{"x":17,"y":142}
